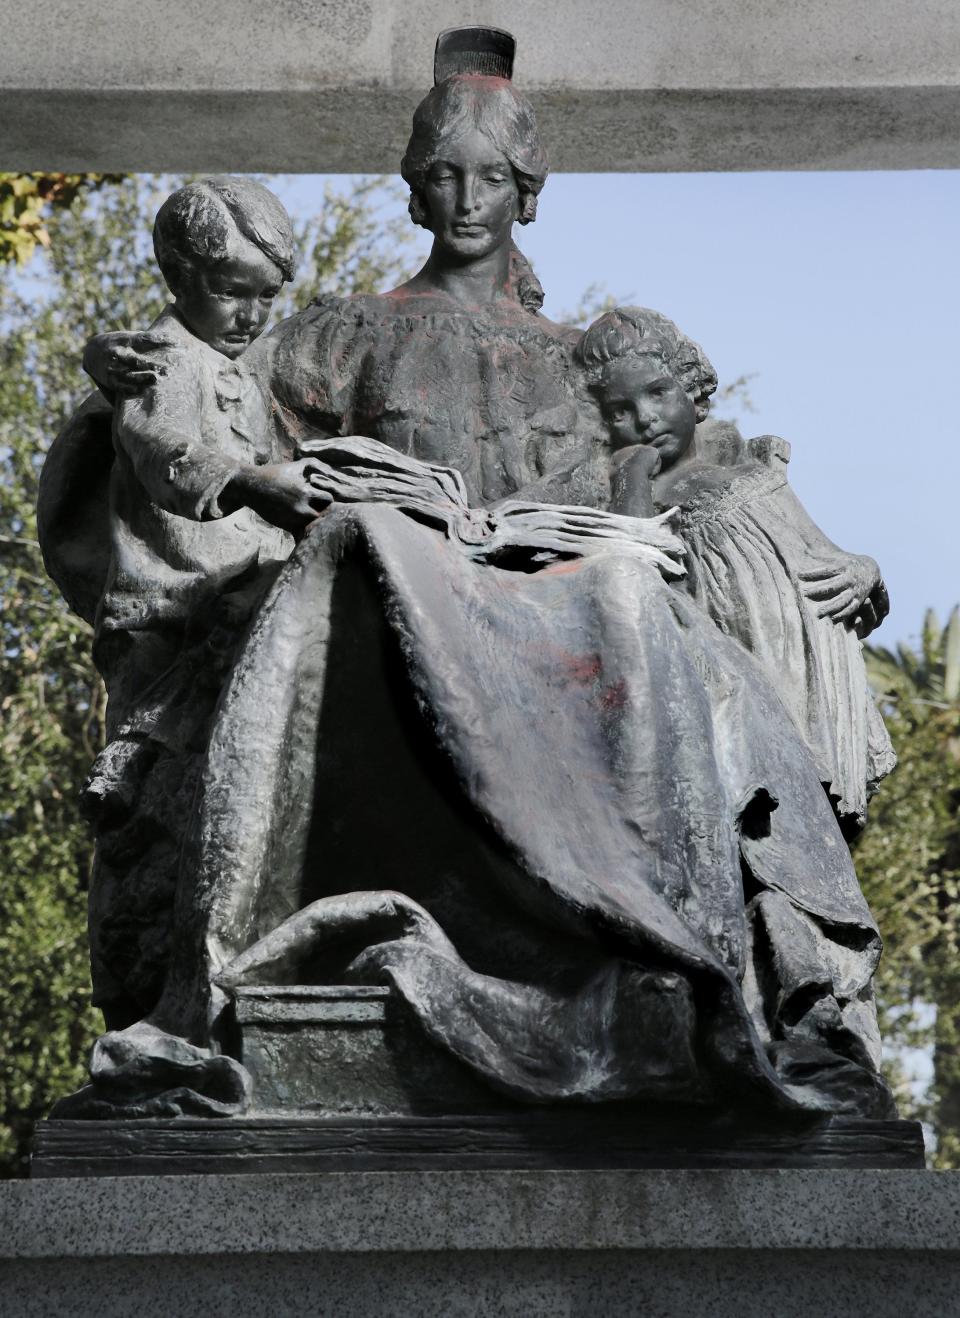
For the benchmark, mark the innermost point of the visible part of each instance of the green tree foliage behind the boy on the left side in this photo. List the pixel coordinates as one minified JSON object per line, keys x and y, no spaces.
{"x":97,"y":273}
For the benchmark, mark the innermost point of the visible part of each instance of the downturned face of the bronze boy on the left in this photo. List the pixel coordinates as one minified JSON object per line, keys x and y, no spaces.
{"x":227,"y":305}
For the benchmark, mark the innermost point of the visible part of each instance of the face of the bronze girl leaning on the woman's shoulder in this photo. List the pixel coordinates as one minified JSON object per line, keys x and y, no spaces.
{"x":643,"y":404}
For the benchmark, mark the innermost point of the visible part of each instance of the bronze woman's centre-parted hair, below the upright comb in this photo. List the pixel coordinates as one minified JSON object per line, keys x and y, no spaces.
{"x":500,"y":113}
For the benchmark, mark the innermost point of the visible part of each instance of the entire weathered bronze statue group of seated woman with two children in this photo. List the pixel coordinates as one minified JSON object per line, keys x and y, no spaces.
{"x":456,"y":653}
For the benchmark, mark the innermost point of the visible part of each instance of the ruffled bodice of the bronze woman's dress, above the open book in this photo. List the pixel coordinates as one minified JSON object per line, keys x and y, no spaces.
{"x":485,"y":391}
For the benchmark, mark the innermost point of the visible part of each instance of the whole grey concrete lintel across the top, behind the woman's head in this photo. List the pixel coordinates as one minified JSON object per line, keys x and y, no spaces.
{"x":619,"y":85}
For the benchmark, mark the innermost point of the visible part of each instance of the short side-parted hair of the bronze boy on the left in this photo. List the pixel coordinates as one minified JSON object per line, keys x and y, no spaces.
{"x":195,"y":226}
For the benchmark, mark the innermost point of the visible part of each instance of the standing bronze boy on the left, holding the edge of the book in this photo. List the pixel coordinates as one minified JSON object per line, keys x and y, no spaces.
{"x":201,"y":508}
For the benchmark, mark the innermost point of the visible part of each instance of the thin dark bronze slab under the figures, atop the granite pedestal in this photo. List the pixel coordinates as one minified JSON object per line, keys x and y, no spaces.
{"x":602,"y":1137}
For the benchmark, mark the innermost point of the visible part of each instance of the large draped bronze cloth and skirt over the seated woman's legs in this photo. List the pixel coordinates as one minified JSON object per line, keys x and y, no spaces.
{"x":616,"y":773}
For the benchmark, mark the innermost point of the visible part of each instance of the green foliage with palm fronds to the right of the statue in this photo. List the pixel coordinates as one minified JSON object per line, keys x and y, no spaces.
{"x":909,"y":865}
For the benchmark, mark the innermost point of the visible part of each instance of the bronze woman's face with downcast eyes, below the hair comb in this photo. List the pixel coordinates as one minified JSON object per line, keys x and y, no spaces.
{"x":471,"y":196}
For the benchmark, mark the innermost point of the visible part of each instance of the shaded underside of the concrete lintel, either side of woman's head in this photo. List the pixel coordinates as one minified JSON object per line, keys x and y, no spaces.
{"x":366,"y":131}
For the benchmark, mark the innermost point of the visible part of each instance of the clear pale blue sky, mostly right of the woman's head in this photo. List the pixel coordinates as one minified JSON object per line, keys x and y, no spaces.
{"x":838,"y":292}
